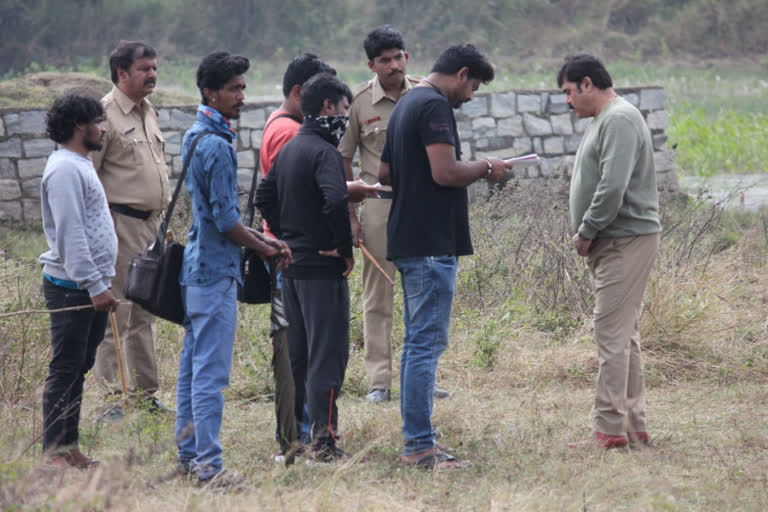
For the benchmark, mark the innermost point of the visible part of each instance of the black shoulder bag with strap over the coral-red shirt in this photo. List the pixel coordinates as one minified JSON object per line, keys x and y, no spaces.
{"x":257,"y":284}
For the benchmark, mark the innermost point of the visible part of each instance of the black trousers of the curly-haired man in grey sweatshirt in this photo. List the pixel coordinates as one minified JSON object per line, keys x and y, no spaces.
{"x":75,"y":335}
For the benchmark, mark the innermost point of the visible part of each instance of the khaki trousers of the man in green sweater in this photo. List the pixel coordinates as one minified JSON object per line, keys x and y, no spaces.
{"x":620,"y":269}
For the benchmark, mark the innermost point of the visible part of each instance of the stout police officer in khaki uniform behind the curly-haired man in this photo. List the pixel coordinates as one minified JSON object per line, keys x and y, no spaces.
{"x":133,"y":171}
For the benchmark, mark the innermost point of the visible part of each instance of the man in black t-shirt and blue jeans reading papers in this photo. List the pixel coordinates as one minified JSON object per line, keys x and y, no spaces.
{"x":428,"y":229}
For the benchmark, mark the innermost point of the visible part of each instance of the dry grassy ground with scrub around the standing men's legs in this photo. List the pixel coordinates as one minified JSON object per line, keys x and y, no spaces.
{"x":521,"y":367}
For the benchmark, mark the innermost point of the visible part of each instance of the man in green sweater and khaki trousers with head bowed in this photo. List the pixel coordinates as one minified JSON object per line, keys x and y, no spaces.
{"x":615,"y":217}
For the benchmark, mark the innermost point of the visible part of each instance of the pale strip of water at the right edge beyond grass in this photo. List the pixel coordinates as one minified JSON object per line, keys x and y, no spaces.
{"x":744,"y":191}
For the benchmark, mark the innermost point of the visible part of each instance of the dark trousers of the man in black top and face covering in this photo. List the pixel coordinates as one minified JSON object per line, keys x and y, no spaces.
{"x":318,"y":343}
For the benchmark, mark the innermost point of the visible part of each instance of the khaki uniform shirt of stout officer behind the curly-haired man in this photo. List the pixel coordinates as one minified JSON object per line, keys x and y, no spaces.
{"x":131,"y":163}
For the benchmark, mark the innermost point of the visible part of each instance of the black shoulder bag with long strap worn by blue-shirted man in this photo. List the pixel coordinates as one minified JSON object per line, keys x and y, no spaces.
{"x":153,"y":276}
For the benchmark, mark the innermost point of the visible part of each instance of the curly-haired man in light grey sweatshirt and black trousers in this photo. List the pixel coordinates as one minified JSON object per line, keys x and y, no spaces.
{"x":77,"y":269}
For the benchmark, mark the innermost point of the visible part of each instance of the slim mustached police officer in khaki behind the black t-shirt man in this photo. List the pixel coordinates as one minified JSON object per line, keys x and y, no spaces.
{"x":372,"y":105}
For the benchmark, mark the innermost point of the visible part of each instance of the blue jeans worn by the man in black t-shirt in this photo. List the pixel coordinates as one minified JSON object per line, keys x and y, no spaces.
{"x":428,"y":286}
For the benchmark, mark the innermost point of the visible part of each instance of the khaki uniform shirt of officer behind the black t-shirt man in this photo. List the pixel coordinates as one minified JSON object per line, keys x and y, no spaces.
{"x":368,"y":118}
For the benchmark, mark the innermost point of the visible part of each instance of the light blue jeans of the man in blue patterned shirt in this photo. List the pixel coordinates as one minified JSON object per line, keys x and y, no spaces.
{"x":206,"y":361}
